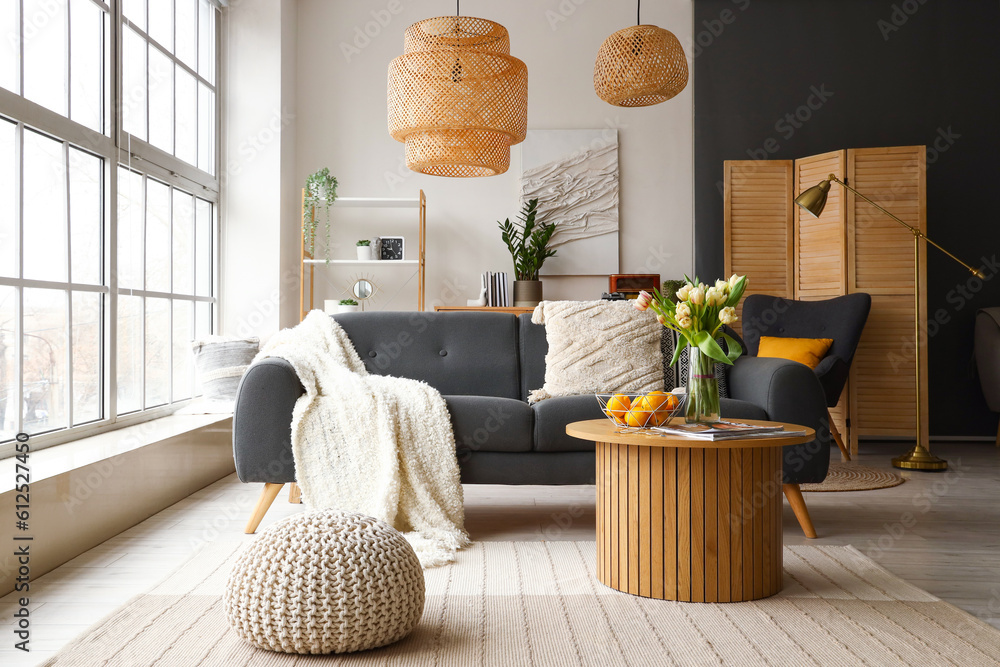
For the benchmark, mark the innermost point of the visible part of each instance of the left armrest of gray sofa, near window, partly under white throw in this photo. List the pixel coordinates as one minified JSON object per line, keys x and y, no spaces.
{"x":262,"y":422}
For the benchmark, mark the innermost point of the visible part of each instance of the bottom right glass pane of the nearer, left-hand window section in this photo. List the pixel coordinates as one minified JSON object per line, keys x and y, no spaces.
{"x":86,"y":357}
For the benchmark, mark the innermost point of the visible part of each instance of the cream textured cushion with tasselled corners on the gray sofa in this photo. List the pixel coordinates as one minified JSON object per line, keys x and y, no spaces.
{"x":598,"y":346}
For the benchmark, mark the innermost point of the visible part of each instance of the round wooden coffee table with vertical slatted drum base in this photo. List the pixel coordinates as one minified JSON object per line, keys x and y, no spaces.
{"x":686,"y":519}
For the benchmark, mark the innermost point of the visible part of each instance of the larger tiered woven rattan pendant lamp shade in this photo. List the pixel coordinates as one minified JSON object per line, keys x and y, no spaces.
{"x":457,"y":98}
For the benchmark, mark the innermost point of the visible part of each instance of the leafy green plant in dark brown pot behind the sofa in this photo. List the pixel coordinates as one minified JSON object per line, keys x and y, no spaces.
{"x":527,"y":240}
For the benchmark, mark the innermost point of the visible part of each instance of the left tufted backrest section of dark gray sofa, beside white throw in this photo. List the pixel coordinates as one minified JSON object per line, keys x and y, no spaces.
{"x":465,"y":353}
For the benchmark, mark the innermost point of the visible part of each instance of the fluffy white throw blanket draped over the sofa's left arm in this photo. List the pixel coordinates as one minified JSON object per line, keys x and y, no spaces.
{"x":374,"y":444}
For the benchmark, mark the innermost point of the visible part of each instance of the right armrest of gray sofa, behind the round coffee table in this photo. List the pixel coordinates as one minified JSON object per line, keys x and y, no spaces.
{"x":789,"y":392}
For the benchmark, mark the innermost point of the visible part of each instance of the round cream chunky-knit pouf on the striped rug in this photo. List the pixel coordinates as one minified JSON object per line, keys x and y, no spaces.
{"x":325,"y":582}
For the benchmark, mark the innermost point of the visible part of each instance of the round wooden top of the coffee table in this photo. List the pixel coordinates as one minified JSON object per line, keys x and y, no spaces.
{"x":602,"y":430}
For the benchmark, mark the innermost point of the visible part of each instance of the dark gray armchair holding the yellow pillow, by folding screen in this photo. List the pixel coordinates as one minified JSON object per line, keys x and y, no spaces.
{"x":841,"y":319}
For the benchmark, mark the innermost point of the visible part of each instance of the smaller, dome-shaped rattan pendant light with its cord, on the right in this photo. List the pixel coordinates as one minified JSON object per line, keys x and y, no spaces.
{"x":640,"y":66}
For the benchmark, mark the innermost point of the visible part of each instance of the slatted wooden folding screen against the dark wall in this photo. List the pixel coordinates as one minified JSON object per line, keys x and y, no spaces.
{"x":851,"y":248}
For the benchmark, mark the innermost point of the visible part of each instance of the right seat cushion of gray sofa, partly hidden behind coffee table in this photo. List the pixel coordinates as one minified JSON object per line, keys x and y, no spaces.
{"x":553,"y":414}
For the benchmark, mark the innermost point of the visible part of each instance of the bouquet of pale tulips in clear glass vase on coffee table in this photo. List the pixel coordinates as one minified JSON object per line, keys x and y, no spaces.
{"x":697,"y":315}
